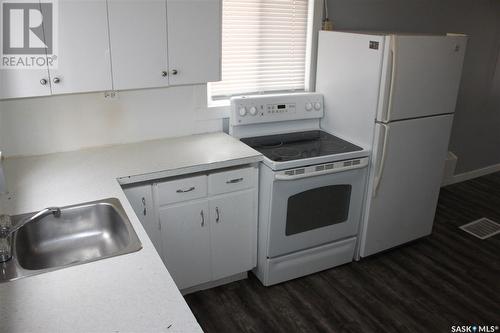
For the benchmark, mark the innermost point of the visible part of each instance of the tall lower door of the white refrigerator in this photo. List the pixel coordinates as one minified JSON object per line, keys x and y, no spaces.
{"x":405,"y":181}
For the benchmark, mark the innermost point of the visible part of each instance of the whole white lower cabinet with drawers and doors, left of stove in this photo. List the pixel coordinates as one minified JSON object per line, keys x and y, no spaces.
{"x":204,"y":226}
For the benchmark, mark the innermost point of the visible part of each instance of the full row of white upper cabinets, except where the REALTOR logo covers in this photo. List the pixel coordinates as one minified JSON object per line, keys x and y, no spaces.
{"x":105,"y":45}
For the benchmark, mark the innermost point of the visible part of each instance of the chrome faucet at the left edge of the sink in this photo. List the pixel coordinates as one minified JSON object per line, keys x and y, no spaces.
{"x":6,"y":229}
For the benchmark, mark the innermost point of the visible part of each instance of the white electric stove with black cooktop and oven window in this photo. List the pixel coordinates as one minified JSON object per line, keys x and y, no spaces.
{"x":311,"y":187}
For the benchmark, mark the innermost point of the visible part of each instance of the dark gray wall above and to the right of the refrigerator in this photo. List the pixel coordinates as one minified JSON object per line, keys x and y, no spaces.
{"x":476,"y":130}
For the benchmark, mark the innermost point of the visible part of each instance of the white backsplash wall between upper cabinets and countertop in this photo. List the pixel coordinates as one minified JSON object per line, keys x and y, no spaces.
{"x":69,"y":122}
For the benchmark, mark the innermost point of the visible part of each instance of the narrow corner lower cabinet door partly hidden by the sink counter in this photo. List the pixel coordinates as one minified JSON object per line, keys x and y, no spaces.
{"x":141,"y":200}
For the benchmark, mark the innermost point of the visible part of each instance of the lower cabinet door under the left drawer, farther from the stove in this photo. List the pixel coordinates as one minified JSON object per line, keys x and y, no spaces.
{"x":186,"y":242}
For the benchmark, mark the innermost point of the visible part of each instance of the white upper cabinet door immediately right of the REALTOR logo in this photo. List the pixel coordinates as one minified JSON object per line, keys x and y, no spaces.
{"x":83,"y":54}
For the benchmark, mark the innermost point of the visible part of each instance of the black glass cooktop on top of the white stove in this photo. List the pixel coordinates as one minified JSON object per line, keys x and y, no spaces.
{"x":299,"y":145}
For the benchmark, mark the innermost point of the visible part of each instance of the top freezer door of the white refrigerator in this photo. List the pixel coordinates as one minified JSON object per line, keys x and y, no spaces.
{"x":424,"y":76}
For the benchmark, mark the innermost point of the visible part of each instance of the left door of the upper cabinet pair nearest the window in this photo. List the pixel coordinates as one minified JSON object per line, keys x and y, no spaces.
{"x":138,"y":36}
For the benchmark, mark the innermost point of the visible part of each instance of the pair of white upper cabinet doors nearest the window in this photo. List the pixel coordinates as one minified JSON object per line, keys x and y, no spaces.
{"x":141,"y":30}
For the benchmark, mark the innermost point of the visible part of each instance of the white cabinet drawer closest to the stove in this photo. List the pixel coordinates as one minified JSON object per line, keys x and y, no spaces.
{"x":229,"y":181}
